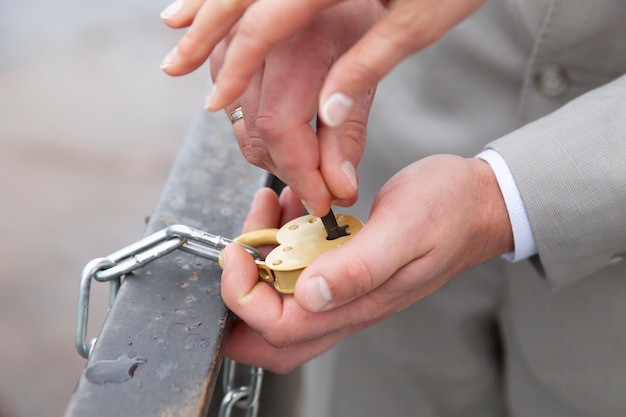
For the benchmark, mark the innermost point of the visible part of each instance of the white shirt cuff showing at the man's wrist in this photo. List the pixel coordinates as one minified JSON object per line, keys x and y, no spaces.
{"x":523,"y":237}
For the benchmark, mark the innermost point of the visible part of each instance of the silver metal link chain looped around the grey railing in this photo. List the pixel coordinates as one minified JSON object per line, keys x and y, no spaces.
{"x":113,"y":267}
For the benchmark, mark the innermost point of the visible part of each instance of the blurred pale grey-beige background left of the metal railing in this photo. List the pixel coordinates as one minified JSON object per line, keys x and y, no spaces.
{"x":89,"y":126}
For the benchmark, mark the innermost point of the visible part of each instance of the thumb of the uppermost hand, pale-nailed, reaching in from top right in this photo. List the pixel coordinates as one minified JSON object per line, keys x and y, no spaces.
{"x":409,"y":26}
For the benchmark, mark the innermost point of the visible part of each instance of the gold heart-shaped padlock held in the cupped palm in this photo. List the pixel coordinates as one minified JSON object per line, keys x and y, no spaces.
{"x":299,"y":242}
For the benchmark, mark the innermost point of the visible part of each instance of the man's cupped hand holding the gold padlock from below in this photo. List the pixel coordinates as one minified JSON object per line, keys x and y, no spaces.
{"x":431,"y":221}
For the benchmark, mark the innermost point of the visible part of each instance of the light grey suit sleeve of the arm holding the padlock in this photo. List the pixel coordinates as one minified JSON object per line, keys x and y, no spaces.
{"x":570,"y":167}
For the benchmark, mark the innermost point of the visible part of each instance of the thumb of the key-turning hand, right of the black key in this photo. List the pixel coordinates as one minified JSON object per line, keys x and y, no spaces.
{"x":341,"y":149}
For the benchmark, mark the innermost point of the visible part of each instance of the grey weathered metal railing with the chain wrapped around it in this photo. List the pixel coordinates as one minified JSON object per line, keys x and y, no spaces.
{"x":159,"y":350}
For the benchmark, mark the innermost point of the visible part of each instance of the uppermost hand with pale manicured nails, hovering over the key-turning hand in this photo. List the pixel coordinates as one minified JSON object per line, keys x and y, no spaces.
{"x":407,"y":27}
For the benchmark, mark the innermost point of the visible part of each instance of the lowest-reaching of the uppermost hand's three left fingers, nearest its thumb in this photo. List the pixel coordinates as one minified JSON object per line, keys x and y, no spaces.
{"x":262,"y":26}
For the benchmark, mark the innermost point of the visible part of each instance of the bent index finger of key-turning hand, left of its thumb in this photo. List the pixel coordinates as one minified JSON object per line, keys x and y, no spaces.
{"x":284,"y":117}
